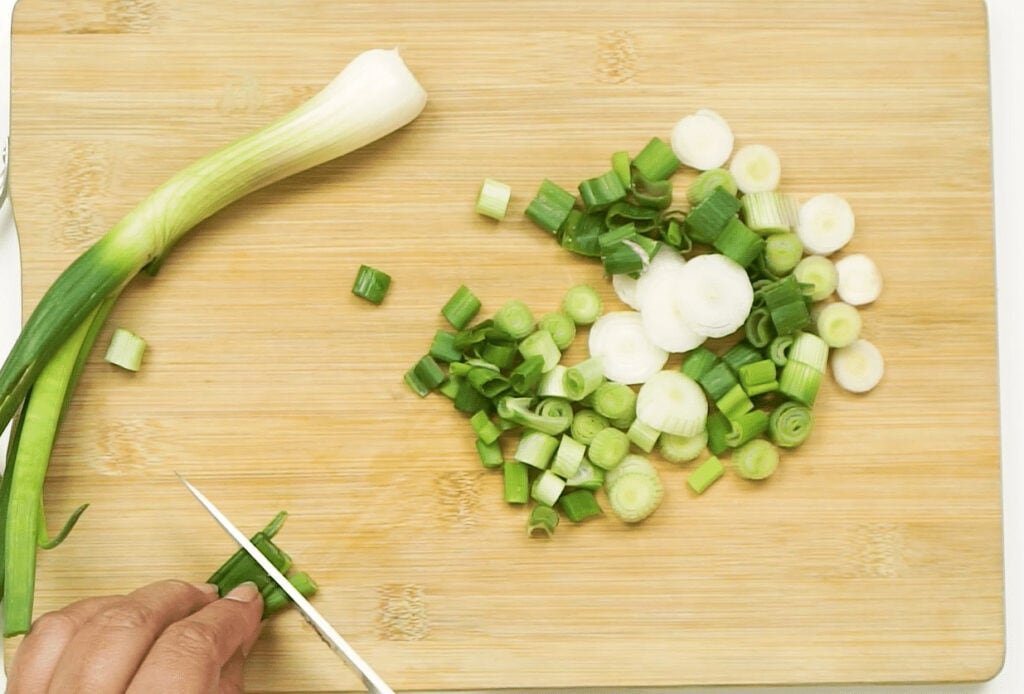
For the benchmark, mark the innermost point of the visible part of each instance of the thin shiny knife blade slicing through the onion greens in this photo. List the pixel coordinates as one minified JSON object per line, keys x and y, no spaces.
{"x":371,"y":680}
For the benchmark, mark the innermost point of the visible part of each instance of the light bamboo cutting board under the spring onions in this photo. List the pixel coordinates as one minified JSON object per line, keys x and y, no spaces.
{"x":875,"y":553}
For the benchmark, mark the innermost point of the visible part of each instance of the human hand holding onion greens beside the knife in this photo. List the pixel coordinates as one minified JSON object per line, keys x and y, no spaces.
{"x":166,"y":637}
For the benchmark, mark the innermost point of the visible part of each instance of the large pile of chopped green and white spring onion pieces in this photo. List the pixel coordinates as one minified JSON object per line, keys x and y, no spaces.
{"x":737,"y":261}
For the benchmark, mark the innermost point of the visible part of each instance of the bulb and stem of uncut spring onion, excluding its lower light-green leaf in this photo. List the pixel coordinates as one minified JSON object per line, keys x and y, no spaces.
{"x":374,"y":96}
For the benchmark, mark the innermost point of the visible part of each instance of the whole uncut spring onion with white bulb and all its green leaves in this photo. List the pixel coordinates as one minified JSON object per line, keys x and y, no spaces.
{"x":373,"y":97}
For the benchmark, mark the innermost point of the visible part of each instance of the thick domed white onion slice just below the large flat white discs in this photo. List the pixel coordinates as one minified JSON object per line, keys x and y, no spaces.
{"x":673,"y":403}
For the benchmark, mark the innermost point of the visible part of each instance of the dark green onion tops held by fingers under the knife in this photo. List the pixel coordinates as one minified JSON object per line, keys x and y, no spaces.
{"x":241,"y":569}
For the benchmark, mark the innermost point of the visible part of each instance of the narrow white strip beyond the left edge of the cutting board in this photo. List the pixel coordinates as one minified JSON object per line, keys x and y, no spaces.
{"x":11,"y":256}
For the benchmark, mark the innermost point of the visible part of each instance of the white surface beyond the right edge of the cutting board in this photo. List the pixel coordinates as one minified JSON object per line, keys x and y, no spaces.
{"x":1007,"y":42}
